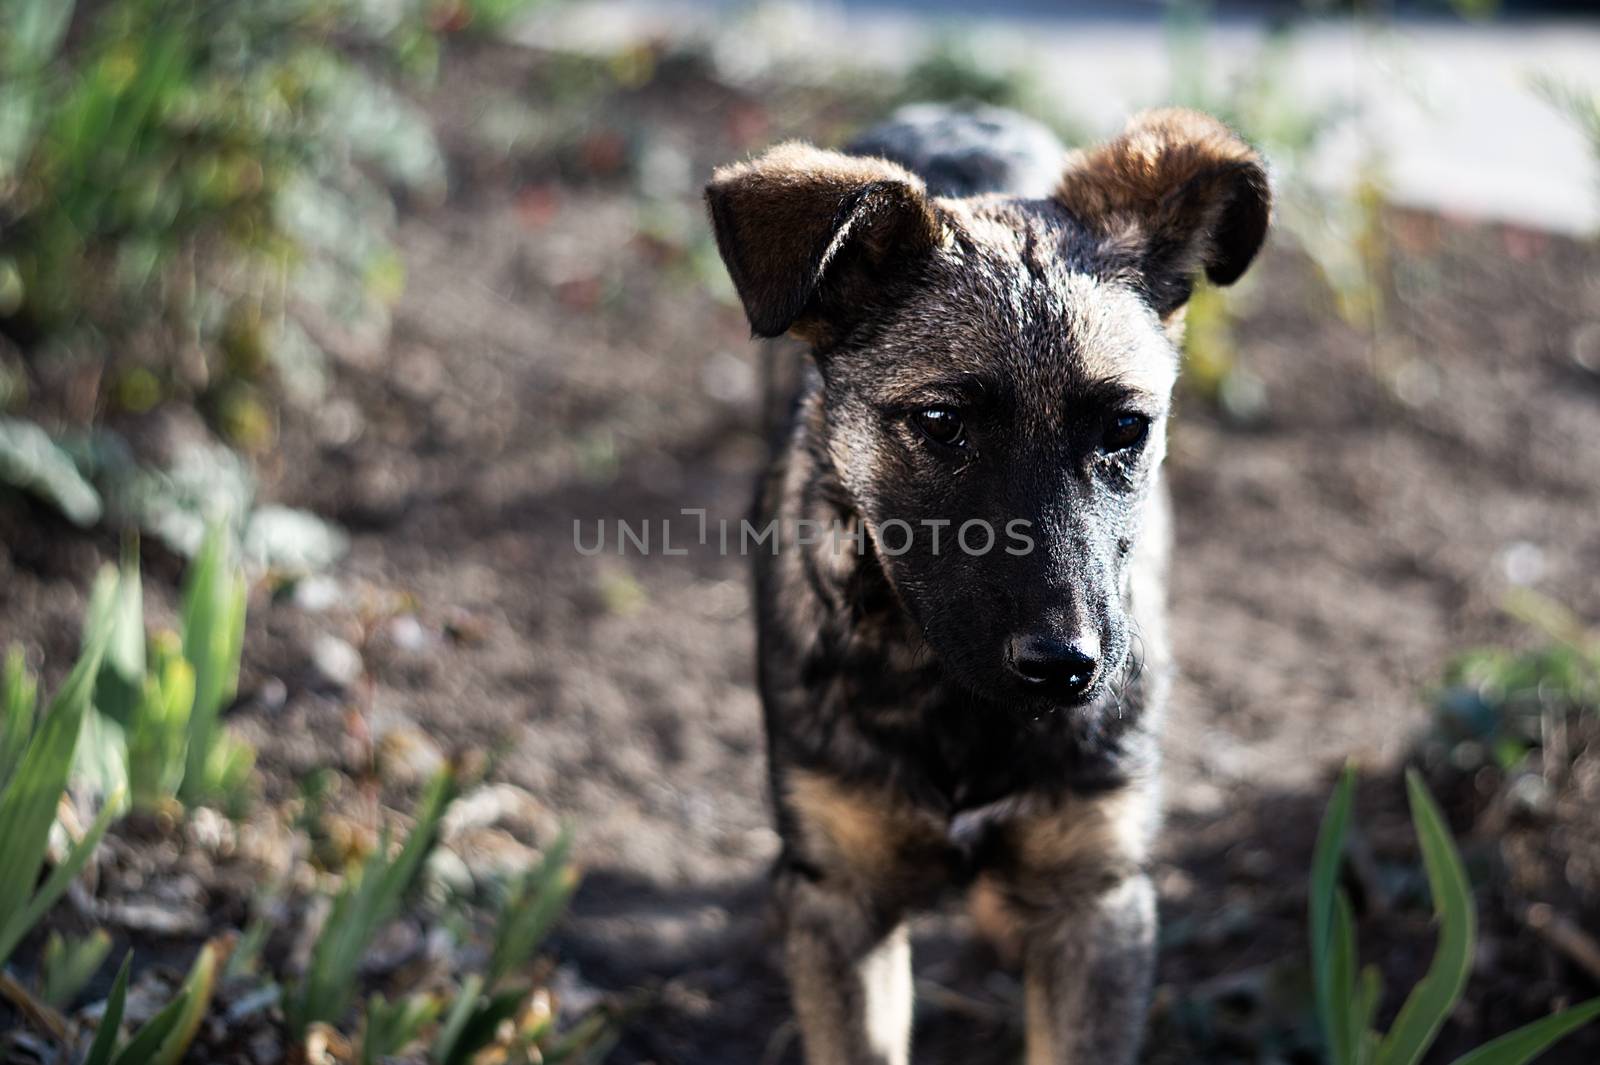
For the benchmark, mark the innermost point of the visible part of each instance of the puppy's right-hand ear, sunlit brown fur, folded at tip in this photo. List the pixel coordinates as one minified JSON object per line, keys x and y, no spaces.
{"x":1175,"y":193}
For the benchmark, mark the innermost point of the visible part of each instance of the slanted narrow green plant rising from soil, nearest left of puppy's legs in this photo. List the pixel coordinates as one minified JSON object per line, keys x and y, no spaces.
{"x":367,"y":901}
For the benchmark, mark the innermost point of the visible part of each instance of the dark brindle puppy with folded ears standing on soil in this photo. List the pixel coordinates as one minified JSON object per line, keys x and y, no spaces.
{"x":953,"y":712}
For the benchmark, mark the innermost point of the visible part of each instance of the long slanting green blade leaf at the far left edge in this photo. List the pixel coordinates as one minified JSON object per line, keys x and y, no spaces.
{"x":28,"y":807}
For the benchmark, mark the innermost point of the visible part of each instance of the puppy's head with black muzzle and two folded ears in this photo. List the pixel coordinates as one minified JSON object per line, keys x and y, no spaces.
{"x":998,"y":373}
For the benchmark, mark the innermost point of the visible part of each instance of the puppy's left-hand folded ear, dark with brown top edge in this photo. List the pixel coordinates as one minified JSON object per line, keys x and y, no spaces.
{"x":809,"y":236}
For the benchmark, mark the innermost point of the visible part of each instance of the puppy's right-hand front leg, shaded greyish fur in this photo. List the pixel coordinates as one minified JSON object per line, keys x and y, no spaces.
{"x":1089,"y":979}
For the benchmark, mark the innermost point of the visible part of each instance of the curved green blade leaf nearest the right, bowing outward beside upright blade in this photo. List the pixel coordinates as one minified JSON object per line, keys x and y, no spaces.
{"x":1438,"y":994}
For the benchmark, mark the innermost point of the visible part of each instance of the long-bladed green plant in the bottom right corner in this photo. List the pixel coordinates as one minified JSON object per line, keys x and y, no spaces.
{"x":1348,"y":997}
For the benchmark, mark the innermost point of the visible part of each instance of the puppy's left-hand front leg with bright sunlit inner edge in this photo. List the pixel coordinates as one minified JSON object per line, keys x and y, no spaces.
{"x":849,"y":973}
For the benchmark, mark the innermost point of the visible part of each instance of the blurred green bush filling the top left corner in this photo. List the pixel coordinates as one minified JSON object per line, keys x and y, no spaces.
{"x":191,"y":193}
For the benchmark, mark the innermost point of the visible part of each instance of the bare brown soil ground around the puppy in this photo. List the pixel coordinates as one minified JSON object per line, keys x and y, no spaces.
{"x":567,"y":353}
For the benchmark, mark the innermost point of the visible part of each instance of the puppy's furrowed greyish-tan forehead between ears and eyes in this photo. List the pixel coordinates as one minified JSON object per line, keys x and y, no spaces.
{"x":1017,"y":290}
